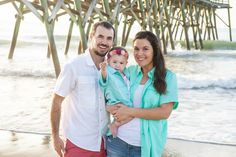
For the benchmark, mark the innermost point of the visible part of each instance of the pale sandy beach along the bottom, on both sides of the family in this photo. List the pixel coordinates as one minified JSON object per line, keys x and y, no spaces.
{"x":31,"y":145}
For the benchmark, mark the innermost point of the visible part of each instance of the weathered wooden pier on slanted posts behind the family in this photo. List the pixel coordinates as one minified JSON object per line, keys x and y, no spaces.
{"x":172,"y":20}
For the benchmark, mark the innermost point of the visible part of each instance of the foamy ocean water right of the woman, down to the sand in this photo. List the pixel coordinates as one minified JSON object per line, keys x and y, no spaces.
{"x":207,"y":95}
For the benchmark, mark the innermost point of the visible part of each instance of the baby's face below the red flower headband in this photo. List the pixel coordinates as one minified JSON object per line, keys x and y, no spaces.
{"x":118,"y":62}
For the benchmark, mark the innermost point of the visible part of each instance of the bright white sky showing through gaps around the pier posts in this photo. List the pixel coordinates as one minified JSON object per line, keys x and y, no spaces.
{"x":26,"y":25}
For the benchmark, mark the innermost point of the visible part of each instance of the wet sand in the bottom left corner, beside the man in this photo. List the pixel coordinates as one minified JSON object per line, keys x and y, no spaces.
{"x":25,"y":145}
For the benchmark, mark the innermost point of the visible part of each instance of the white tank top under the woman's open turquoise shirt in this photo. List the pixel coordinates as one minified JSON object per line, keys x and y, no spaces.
{"x":130,"y":132}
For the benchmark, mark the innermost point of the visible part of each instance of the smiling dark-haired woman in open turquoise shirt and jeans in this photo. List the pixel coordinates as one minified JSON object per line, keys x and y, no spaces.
{"x":153,"y":92}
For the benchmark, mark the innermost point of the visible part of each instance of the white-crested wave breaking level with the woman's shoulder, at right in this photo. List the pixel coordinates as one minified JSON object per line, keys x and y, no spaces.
{"x":203,"y":83}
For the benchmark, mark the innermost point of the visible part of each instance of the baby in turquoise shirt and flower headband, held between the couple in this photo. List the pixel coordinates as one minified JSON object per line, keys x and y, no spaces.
{"x":115,"y":83}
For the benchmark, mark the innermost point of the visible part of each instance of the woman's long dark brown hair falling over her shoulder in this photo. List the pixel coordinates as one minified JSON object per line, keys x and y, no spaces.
{"x":158,"y":60}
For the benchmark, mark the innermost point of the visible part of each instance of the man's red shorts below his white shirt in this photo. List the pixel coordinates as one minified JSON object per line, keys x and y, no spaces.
{"x":72,"y":150}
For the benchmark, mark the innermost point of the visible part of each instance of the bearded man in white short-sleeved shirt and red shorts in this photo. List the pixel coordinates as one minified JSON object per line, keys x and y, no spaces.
{"x":85,"y":118}
